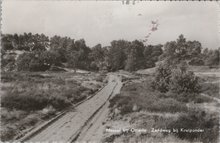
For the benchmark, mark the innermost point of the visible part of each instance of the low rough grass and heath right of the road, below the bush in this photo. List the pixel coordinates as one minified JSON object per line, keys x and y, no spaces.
{"x":163,"y":111}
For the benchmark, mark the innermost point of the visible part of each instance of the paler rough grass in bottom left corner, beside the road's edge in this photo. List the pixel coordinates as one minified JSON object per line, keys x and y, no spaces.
{"x":15,"y":122}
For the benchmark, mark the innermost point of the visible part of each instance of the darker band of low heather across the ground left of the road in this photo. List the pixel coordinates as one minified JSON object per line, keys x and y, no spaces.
{"x":32,"y":97}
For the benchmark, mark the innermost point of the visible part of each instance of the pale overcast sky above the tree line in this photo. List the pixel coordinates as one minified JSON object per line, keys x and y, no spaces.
{"x":104,"y":21}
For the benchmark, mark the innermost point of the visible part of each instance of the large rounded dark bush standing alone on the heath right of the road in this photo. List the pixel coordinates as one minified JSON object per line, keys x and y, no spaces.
{"x":175,"y":78}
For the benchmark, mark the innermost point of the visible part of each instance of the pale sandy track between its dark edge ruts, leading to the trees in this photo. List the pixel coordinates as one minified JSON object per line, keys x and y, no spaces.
{"x":69,"y":126}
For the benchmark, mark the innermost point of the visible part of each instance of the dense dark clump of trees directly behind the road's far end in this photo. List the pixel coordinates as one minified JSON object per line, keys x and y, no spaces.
{"x":132,"y":56}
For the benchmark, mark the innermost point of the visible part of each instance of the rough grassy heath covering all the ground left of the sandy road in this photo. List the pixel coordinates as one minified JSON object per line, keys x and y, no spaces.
{"x":32,"y":97}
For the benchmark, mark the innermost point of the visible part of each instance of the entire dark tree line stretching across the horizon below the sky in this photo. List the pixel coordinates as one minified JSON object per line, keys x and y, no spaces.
{"x":40,"y":53}
